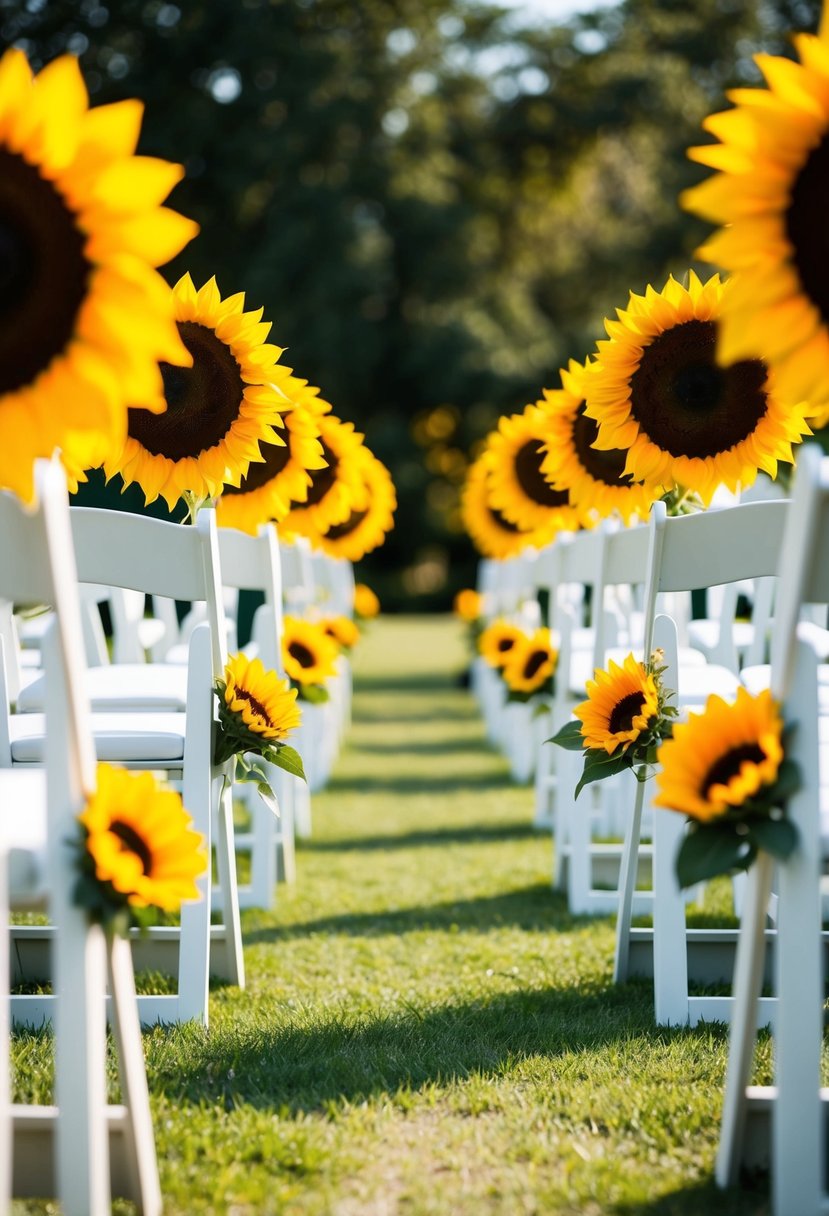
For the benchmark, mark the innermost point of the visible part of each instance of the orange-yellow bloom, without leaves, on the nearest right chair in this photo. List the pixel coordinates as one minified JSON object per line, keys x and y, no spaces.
{"x":723,"y":757}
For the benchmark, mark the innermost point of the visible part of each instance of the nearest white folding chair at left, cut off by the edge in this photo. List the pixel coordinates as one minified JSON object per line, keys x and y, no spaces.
{"x":80,"y":1149}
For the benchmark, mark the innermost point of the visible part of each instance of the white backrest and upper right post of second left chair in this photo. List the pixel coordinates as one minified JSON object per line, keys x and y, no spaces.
{"x":160,"y":559}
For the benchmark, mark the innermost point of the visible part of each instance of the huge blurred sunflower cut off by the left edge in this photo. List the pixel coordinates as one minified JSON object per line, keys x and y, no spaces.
{"x":87,"y":317}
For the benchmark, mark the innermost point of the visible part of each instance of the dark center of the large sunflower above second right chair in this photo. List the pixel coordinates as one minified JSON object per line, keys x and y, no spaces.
{"x":685,"y":403}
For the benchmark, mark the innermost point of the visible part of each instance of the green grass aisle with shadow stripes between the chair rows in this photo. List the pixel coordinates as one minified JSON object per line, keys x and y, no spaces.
{"x":426,"y":1029}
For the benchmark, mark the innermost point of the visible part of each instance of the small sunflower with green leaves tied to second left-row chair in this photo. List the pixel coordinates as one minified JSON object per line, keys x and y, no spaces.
{"x":257,"y":713}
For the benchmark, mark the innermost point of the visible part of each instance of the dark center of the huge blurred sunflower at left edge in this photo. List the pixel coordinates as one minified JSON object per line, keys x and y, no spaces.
{"x":44,"y":274}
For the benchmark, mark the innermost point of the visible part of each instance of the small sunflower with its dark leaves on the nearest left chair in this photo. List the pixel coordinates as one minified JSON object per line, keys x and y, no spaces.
{"x":138,"y":853}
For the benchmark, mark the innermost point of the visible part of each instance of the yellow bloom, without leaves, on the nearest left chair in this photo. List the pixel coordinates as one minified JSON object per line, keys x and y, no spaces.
{"x":142,"y":841}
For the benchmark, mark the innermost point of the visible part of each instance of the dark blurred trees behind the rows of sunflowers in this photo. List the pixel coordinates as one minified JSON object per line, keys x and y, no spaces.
{"x":437,"y":202}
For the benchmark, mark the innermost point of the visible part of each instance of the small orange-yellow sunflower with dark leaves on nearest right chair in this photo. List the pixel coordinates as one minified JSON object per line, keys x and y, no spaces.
{"x":726,"y":769}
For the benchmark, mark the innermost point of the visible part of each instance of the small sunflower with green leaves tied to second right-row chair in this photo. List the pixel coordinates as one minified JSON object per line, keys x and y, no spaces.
{"x":623,"y":723}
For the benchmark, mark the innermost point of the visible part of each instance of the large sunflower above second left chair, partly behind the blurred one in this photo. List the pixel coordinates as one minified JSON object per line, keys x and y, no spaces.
{"x":218,"y":412}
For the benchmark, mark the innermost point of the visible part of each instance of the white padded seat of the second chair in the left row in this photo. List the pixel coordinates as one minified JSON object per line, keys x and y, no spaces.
{"x":119,"y":738}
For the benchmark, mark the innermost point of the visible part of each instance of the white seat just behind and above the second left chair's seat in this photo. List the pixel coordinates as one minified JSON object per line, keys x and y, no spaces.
{"x":122,"y":688}
